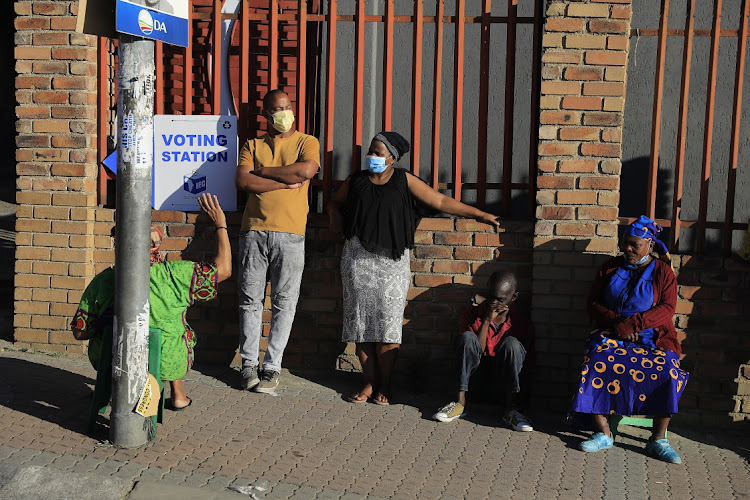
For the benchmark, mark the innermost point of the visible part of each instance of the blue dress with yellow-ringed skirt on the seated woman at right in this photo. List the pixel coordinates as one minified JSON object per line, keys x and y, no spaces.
{"x":628,"y":378}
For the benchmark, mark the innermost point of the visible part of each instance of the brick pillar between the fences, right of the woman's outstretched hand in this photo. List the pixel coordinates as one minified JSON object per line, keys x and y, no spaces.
{"x":582,"y":99}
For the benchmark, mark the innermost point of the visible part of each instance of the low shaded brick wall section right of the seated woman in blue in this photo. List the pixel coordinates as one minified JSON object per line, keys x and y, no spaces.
{"x":713,"y":311}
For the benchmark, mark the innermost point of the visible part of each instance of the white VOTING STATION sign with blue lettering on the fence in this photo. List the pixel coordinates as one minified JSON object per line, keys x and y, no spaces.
{"x":193,"y":155}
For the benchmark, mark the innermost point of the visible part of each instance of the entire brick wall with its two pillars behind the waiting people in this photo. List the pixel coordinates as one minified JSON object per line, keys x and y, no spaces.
{"x":63,"y":236}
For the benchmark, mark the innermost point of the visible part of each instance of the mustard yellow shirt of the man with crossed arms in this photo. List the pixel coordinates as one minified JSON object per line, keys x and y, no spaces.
{"x":283,"y":210}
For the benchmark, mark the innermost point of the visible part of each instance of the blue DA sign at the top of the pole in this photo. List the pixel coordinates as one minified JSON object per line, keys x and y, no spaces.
{"x":163,"y":20}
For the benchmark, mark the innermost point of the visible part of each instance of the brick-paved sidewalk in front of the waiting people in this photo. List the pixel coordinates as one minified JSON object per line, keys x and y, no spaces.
{"x":308,"y":443}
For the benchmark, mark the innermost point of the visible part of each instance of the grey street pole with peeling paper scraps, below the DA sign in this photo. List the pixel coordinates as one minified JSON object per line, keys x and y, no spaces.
{"x":135,"y":131}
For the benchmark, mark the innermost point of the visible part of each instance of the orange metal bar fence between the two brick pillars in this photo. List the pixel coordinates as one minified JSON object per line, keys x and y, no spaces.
{"x":277,"y":44}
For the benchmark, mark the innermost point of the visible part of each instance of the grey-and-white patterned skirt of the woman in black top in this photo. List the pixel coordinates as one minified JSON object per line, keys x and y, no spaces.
{"x":375,"y":289}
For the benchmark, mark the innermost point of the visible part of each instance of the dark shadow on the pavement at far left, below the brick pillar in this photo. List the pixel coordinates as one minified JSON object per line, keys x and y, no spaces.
{"x":45,"y":392}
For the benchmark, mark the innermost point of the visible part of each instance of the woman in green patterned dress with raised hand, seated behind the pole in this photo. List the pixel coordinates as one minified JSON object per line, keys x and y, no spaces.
{"x":175,"y":285}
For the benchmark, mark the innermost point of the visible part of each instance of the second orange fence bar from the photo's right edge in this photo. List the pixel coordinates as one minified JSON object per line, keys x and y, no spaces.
{"x":709,"y":126}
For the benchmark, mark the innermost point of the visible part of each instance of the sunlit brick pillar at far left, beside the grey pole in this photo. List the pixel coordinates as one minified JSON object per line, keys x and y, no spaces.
{"x":56,"y":167}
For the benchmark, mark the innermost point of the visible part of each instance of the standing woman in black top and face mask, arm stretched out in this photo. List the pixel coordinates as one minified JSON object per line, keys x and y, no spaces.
{"x":374,"y":209}
